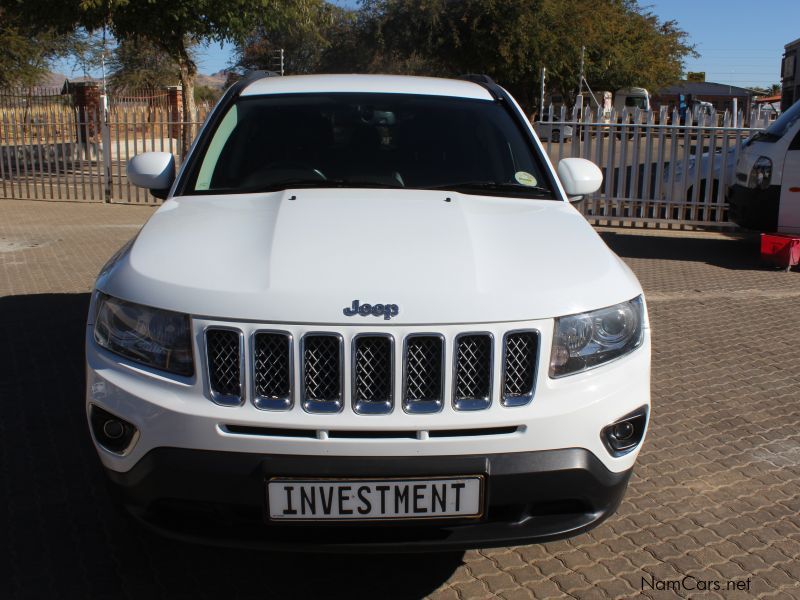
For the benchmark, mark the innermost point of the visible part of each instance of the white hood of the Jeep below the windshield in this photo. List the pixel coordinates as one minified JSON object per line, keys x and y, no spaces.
{"x":303,"y":256}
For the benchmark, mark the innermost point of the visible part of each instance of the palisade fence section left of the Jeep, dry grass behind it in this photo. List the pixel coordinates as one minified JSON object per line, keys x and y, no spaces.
{"x":52,"y":150}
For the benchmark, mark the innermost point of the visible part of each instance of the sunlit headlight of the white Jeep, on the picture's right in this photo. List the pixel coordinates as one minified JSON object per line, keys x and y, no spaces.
{"x":589,"y":339}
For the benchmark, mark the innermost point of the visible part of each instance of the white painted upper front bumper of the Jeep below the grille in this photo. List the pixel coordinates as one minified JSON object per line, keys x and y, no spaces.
{"x":568,"y":412}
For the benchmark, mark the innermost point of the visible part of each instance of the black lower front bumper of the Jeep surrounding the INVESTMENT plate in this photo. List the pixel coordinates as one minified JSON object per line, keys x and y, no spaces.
{"x":220,"y":498}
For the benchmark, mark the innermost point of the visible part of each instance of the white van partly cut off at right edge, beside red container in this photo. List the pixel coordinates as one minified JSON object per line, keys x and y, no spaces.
{"x":766,"y":193}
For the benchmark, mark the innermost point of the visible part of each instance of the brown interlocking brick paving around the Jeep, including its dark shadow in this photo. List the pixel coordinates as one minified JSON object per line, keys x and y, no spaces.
{"x":714,"y":499}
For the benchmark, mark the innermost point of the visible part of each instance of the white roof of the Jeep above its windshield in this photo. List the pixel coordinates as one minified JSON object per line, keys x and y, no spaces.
{"x":392,"y":84}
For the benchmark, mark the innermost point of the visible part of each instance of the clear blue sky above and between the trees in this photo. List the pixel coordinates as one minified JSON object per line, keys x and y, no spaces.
{"x":739,"y":42}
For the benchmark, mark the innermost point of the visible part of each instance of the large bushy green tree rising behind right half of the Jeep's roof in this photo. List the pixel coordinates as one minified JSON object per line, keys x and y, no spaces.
{"x":511,"y":39}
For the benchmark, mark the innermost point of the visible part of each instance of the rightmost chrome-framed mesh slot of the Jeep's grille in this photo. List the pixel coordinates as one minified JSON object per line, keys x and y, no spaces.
{"x":520,"y":356}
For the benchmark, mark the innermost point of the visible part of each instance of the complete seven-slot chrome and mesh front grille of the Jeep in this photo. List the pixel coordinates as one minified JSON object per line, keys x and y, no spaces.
{"x":463,"y":366}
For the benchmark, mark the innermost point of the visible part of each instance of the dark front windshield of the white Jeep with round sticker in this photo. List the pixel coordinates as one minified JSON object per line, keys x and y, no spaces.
{"x":267,"y":143}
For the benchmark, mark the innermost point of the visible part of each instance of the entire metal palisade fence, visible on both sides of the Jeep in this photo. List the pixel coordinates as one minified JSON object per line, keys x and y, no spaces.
{"x":657,"y":171}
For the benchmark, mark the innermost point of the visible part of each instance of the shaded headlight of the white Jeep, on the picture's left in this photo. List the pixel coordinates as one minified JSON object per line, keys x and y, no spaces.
{"x":157,"y":338}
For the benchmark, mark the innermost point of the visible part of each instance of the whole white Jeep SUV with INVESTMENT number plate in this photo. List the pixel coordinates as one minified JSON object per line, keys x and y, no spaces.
{"x":367,"y":301}
